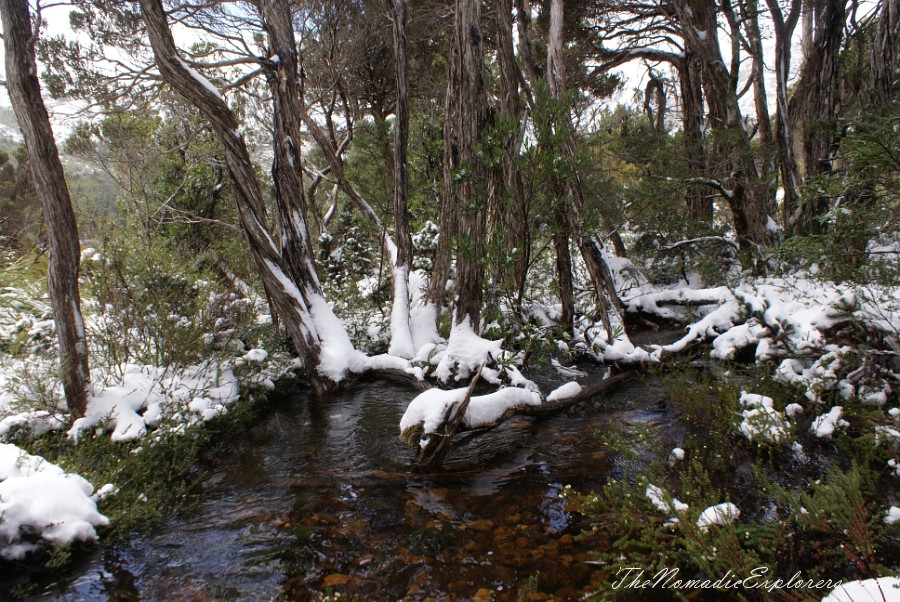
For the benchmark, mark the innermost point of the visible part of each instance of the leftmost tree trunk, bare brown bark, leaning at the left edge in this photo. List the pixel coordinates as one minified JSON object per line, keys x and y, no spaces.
{"x":62,"y":272}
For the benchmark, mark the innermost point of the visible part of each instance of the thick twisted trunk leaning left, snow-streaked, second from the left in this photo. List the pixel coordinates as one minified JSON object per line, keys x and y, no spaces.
{"x":290,"y":299}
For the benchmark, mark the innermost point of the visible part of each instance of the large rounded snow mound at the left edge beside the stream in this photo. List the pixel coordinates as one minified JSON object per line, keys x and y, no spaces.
{"x":40,"y":504}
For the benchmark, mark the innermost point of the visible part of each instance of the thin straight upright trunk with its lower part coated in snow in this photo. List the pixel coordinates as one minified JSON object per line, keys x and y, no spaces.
{"x":401,"y":337}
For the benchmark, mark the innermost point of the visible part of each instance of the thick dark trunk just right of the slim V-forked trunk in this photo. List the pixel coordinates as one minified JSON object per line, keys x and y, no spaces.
{"x":815,"y":100}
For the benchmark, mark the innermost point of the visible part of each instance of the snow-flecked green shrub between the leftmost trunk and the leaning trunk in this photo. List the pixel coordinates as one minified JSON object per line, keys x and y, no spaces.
{"x":155,"y":306}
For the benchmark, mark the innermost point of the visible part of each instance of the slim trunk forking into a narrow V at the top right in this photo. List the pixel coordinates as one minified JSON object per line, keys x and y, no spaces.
{"x":784,"y":26}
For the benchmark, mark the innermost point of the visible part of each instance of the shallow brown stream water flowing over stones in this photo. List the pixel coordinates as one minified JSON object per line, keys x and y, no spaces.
{"x":318,"y":498}
